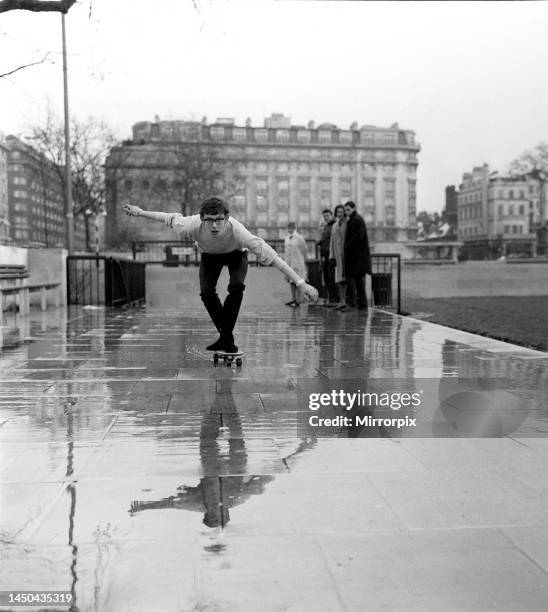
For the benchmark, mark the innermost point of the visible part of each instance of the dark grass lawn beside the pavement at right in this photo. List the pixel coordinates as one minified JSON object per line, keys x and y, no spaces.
{"x":517,"y":319}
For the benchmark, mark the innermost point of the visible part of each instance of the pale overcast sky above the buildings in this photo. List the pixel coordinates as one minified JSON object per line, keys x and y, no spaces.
{"x":469,"y":77}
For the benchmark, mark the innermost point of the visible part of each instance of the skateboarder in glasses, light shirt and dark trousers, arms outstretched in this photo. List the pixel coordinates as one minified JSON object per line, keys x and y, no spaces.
{"x":224,"y":242}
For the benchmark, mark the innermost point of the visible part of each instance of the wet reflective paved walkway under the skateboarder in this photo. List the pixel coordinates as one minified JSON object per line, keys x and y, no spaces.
{"x":138,"y":476}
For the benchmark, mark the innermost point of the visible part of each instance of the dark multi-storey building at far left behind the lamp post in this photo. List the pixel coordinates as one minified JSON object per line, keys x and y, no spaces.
{"x":36,"y":200}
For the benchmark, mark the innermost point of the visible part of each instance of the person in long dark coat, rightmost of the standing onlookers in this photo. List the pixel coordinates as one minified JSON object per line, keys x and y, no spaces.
{"x":357,"y":258}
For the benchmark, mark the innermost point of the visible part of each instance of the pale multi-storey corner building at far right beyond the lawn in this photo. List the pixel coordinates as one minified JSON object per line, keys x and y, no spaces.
{"x":496,"y":214}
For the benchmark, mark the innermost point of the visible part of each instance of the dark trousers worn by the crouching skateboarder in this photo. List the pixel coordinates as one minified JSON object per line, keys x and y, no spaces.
{"x":224,"y":316}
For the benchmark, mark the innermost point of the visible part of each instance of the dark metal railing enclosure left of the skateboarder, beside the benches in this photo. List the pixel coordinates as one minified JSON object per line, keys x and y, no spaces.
{"x":99,"y":280}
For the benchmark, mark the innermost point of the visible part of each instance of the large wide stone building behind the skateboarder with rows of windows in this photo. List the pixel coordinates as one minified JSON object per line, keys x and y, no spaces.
{"x":279,"y":172}
